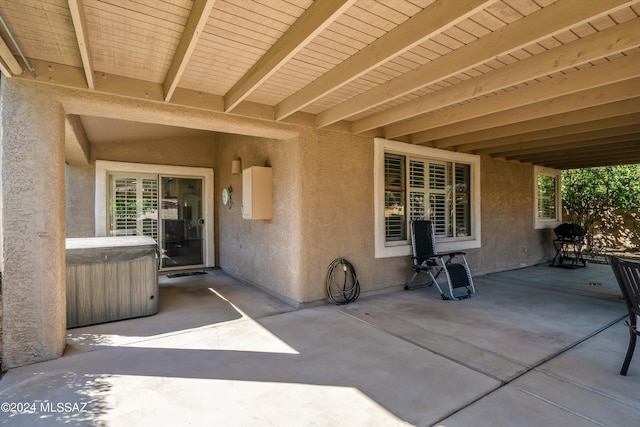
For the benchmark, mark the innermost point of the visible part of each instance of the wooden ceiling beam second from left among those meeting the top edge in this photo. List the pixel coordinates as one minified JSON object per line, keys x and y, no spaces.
{"x":196,"y":22}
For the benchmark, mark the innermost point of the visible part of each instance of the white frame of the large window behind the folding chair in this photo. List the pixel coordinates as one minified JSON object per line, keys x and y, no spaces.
{"x":385,"y":249}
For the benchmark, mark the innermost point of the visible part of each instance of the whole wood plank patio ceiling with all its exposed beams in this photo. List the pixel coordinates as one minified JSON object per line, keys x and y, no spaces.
{"x":547,"y":82}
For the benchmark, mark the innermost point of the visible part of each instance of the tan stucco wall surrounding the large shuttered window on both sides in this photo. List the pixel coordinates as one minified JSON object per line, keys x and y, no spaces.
{"x":336,"y":201}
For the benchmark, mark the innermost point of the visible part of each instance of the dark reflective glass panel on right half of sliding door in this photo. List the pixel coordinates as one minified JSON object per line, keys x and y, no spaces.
{"x":182,"y":222}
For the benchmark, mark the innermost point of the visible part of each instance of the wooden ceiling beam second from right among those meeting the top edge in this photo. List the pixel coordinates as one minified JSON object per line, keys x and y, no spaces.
{"x":434,"y":19}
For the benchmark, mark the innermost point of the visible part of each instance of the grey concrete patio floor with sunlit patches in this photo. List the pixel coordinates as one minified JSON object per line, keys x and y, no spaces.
{"x":537,"y":346}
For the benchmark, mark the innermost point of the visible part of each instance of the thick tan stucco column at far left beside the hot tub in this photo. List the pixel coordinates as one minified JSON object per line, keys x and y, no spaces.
{"x":33,"y":224}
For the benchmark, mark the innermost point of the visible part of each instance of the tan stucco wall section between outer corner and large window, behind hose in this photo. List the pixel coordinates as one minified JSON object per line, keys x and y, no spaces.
{"x":337,"y":204}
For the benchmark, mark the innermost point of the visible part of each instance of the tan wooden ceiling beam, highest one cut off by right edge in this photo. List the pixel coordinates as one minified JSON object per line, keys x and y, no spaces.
{"x":598,"y":45}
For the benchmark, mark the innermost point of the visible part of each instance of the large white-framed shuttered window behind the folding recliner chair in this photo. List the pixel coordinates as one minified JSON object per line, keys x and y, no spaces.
{"x":417,"y":186}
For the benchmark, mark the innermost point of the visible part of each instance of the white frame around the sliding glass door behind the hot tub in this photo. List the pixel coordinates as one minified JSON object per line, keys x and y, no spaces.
{"x":104,"y":168}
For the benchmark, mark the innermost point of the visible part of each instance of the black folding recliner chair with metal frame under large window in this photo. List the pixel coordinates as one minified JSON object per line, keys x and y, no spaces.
{"x":426,"y":259}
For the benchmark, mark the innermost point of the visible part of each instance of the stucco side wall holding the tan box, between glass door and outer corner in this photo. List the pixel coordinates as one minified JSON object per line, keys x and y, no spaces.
{"x":263,"y":252}
